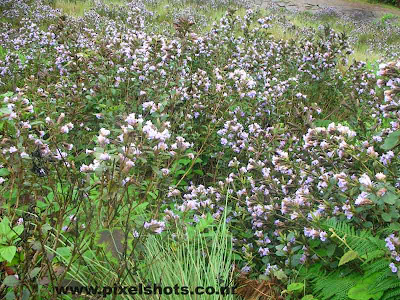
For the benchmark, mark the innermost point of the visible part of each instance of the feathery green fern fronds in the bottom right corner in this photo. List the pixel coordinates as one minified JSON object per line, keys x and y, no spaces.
{"x":372,"y":250}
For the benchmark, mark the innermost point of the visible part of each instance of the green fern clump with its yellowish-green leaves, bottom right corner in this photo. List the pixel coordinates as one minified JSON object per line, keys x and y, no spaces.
{"x":372,"y":279}
